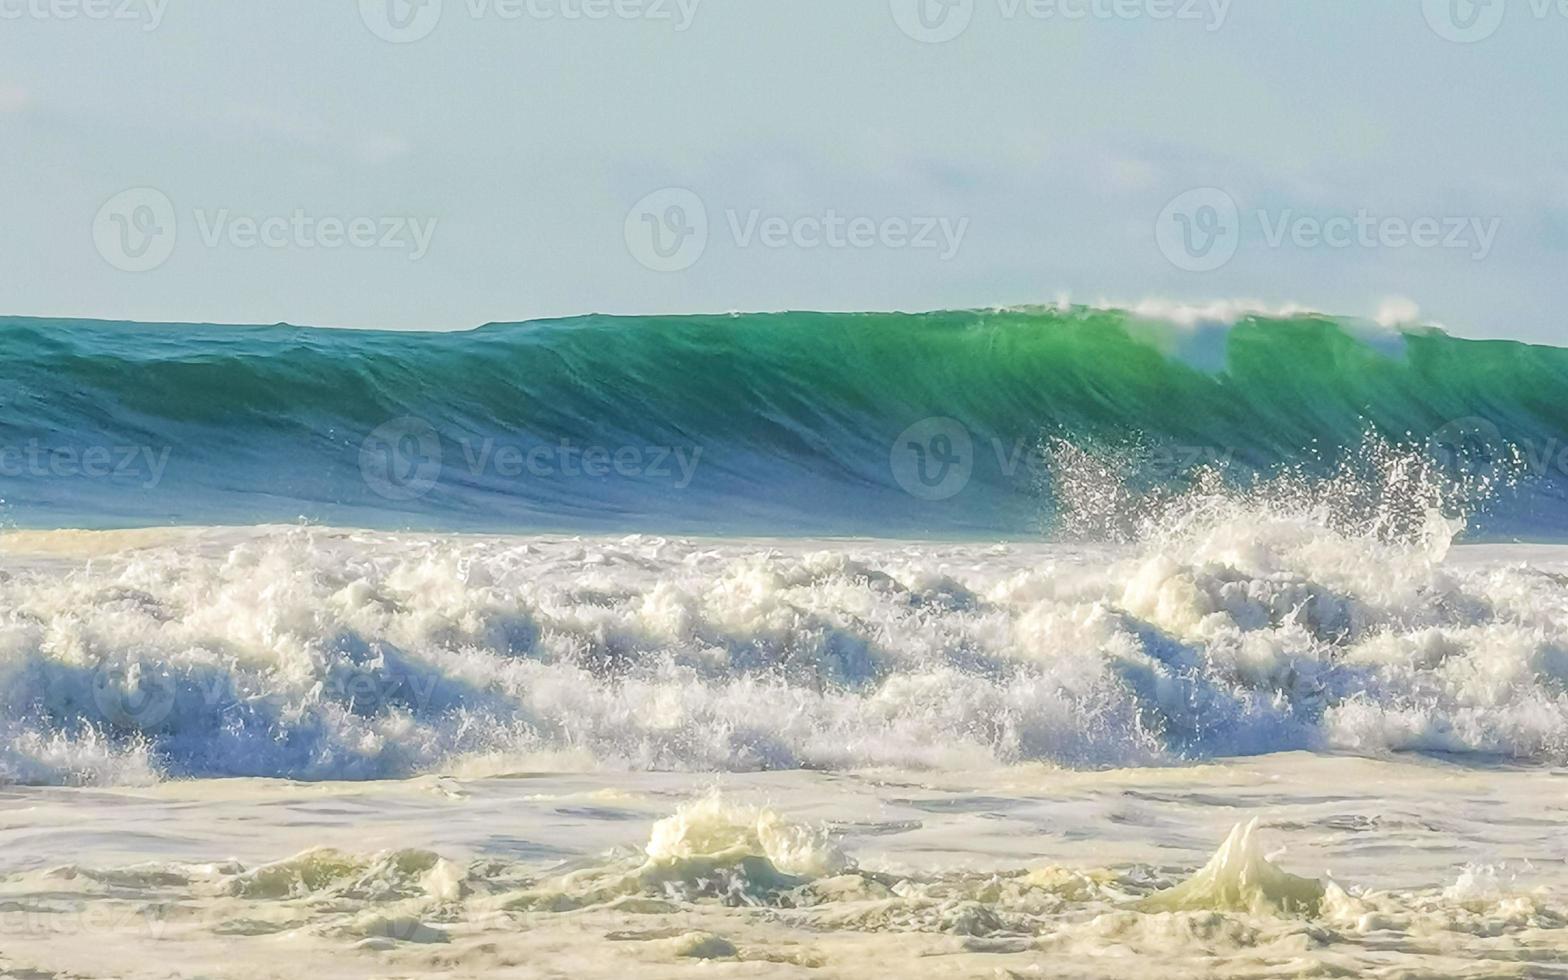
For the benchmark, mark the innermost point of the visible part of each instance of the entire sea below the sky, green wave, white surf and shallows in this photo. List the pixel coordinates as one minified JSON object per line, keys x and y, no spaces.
{"x":998,"y":644}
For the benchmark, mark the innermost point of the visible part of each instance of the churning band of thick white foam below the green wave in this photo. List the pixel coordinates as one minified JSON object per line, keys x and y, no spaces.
{"x":347,"y":655}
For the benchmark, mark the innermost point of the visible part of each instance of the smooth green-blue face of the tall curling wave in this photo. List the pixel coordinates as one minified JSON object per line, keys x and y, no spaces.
{"x":869,"y":424}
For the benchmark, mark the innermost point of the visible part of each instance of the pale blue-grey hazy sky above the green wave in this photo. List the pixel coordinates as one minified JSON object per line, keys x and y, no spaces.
{"x":446,"y":164}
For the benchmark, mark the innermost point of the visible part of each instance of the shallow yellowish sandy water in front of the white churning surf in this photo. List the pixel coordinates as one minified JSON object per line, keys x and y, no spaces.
{"x":1356,"y":868}
